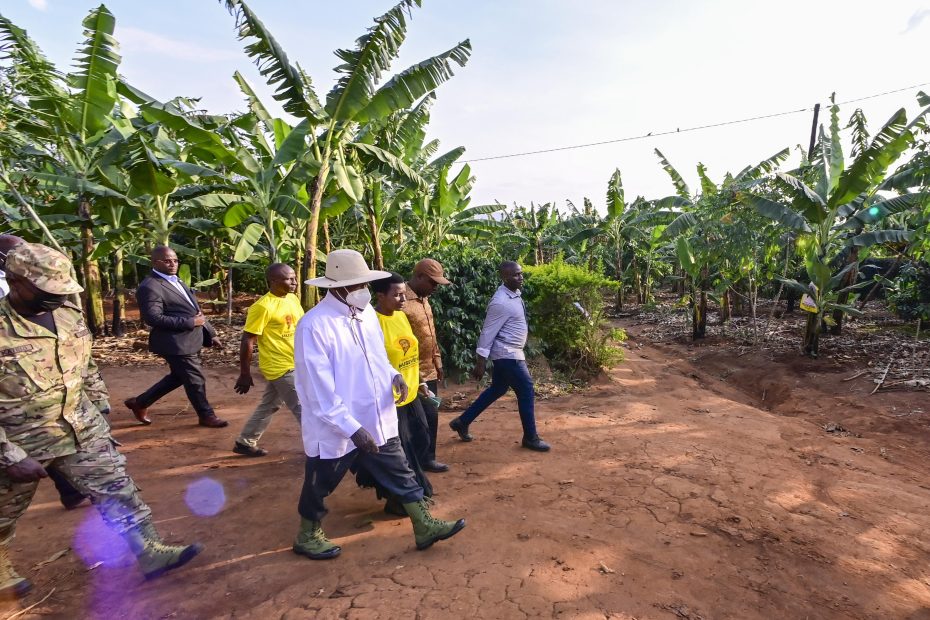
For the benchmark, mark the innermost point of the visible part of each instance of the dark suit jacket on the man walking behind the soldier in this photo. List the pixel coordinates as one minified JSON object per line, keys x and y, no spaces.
{"x":171,"y":318}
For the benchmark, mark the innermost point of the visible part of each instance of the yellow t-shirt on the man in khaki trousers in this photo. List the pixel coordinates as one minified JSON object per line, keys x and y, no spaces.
{"x":274,"y":320}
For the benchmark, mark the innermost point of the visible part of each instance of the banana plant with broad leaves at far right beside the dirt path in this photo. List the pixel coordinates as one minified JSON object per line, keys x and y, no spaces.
{"x":831,"y":214}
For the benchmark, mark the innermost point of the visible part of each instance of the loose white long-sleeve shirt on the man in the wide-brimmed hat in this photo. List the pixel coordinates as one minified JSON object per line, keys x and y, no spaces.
{"x":343,"y":379}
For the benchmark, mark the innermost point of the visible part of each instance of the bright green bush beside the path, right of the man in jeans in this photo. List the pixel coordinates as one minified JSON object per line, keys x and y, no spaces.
{"x":566,"y":312}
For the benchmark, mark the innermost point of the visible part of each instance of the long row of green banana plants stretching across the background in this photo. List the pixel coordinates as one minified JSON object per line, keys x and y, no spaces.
{"x":103,"y":171}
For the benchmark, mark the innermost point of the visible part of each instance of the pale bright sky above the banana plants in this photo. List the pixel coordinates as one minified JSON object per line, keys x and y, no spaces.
{"x":553,"y":73}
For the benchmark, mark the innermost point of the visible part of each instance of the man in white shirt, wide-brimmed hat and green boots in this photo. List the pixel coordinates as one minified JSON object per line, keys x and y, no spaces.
{"x":347,"y":391}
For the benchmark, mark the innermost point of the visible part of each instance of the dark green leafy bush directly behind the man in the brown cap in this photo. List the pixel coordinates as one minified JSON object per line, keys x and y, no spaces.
{"x":459,"y":309}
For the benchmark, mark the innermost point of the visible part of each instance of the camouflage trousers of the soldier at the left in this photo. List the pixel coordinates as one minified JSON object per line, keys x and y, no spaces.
{"x":98,"y":471}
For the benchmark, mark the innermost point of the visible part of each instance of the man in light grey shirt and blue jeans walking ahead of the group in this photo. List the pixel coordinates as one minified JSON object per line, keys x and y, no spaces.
{"x":502,"y":340}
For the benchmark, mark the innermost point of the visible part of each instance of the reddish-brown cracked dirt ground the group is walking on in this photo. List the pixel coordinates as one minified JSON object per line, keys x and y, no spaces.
{"x":669,"y":493}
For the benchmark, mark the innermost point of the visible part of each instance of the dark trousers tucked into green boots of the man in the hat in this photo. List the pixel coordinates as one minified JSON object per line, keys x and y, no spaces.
{"x":388,"y":467}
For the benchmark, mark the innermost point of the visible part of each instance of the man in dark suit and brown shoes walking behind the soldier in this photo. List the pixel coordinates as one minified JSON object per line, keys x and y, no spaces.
{"x":179,"y":331}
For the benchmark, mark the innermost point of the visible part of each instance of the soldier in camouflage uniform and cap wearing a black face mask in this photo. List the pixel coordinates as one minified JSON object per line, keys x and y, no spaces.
{"x":50,"y":400}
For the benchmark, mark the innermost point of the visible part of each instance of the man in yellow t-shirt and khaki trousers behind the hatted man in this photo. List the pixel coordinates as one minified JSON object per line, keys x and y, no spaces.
{"x":271,"y":322}
